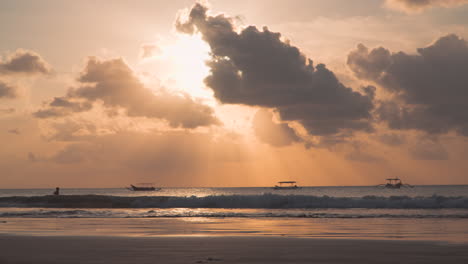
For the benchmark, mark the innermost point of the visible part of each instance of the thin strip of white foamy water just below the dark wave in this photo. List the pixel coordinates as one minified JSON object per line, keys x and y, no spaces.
{"x":232,"y":213}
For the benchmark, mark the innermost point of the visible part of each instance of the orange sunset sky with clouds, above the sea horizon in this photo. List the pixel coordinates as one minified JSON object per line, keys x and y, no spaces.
{"x":233,"y":93}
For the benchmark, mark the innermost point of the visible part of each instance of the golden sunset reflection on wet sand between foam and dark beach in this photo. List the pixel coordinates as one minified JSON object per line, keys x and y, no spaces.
{"x":448,"y":230}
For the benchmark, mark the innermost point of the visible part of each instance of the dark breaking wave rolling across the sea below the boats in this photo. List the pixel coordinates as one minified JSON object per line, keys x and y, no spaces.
{"x":265,"y":201}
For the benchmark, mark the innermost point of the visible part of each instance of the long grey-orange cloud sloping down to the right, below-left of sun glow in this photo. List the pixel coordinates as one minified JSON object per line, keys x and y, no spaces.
{"x":114,"y":84}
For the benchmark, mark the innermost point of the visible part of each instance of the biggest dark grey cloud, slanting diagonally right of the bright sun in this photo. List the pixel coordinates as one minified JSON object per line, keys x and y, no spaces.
{"x":257,"y":68}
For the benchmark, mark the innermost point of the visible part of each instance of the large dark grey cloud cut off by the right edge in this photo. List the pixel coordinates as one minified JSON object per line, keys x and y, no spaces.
{"x":430,"y":87}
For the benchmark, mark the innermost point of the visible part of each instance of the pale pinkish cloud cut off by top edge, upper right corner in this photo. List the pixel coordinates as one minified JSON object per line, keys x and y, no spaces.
{"x":415,"y":6}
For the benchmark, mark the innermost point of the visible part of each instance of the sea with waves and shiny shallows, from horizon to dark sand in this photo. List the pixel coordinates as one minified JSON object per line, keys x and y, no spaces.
{"x":426,"y":213}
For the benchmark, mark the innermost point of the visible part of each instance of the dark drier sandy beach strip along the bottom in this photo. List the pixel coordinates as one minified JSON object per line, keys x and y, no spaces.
{"x":60,"y":249}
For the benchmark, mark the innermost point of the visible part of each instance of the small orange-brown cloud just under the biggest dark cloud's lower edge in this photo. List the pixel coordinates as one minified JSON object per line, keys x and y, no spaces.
{"x":275,"y":134}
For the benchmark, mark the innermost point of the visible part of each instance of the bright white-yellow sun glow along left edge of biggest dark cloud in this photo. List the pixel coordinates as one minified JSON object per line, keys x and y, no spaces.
{"x":178,"y":62}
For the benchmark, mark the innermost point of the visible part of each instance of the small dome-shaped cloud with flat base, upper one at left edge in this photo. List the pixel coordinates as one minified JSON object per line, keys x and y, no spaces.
{"x":24,"y":62}
